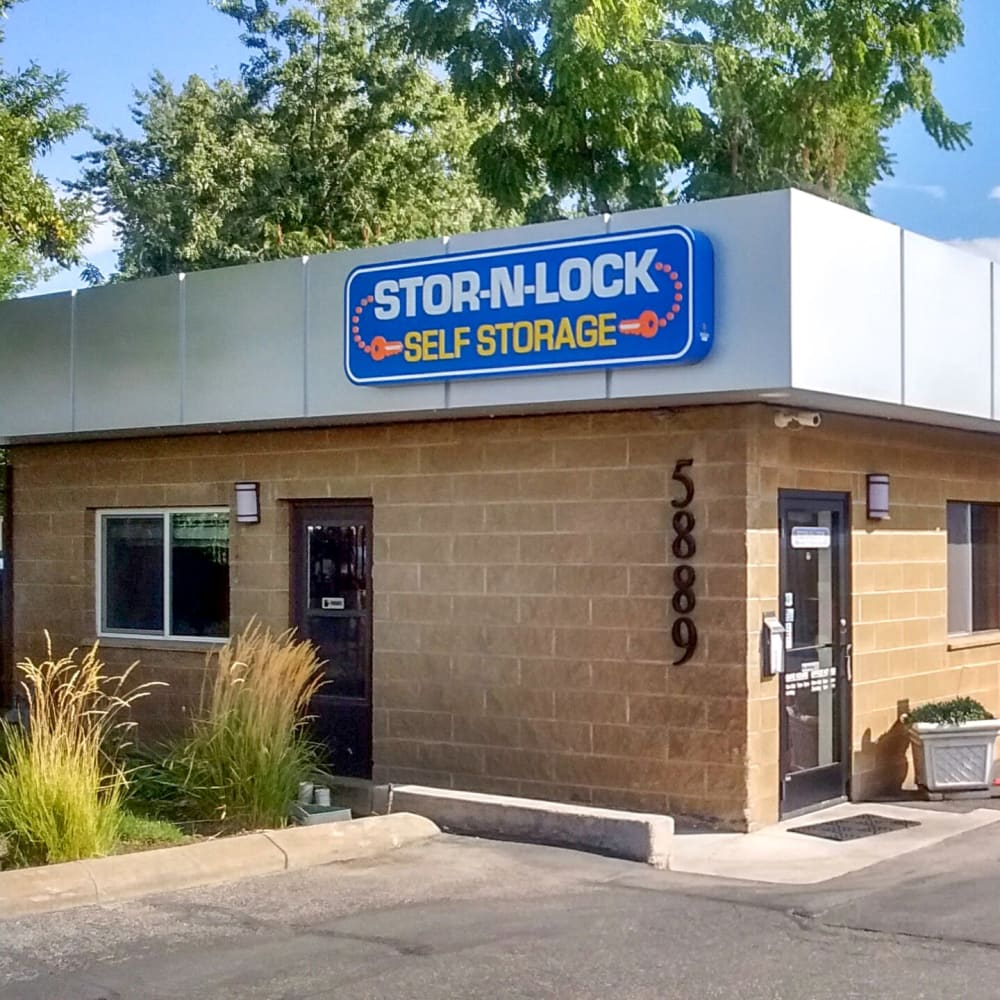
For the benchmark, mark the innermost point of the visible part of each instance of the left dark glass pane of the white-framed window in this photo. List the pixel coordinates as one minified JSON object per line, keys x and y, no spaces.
{"x":133,"y":574}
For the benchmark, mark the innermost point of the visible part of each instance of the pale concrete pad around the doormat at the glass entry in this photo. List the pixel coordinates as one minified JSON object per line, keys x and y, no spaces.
{"x":778,"y":856}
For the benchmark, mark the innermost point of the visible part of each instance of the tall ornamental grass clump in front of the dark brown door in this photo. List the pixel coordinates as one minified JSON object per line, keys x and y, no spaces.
{"x":249,"y":747}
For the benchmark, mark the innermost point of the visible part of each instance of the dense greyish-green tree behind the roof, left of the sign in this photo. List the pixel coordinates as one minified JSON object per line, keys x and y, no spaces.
{"x":333,"y":137}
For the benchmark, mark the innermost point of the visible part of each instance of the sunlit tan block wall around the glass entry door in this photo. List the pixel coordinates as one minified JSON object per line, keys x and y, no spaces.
{"x":899,"y":601}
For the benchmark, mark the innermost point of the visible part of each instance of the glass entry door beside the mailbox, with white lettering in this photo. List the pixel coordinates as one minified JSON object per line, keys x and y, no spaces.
{"x":815,"y":610}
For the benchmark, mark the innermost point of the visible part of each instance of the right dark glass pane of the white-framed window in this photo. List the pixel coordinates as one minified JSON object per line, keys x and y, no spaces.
{"x":199,"y":574}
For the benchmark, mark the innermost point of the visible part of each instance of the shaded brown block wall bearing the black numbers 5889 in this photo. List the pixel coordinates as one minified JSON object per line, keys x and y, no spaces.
{"x":522,"y":577}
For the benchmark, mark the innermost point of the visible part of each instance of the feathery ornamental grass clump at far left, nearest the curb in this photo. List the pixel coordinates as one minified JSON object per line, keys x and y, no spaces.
{"x":61,"y":788}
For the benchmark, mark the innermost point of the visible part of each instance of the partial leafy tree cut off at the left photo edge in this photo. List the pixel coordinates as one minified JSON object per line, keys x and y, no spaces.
{"x":40,"y":229}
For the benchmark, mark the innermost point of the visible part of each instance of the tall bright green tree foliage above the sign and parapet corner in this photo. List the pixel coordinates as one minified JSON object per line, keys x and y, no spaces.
{"x":606,"y":104}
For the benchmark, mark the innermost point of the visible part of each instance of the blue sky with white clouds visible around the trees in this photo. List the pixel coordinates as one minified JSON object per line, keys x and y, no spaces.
{"x":109,"y":47}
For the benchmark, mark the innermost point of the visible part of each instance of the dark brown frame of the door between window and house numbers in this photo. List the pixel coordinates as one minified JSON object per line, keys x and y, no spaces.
{"x":331,"y":510}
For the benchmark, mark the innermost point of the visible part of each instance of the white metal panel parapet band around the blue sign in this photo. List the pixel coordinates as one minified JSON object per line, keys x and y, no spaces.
{"x":815,"y":306}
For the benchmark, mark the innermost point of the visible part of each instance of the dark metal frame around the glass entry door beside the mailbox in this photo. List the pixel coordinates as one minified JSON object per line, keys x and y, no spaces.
{"x":842,"y":634}
